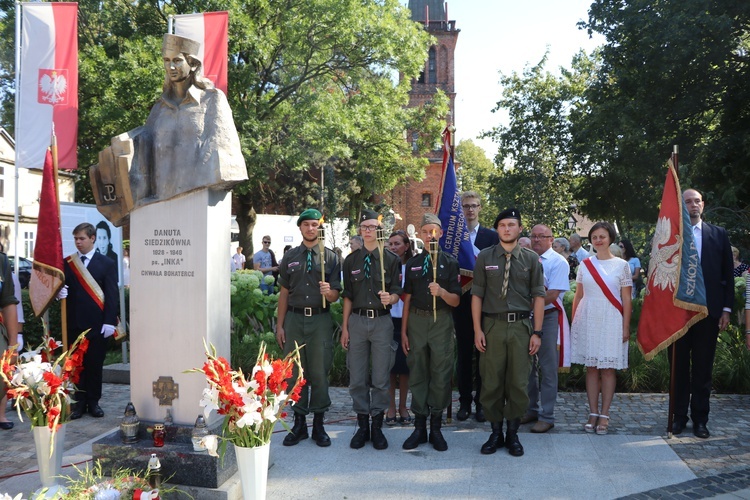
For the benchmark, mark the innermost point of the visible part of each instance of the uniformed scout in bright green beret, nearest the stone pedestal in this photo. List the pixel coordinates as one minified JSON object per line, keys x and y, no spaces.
{"x":304,"y":320}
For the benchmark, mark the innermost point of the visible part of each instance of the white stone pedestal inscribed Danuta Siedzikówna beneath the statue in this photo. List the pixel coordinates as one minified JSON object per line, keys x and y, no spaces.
{"x":179,"y":295}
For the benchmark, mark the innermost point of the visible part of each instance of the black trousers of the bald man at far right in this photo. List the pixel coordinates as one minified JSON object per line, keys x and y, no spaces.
{"x":694,"y":361}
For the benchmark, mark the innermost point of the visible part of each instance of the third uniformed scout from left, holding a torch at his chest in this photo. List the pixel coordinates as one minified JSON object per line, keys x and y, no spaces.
{"x":427,"y":334}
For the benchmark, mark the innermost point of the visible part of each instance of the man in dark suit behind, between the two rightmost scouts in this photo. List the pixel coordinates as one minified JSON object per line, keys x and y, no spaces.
{"x":467,"y":371}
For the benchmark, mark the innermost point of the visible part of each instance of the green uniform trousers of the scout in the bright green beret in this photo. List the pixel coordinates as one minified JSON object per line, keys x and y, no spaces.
{"x":316,"y":333}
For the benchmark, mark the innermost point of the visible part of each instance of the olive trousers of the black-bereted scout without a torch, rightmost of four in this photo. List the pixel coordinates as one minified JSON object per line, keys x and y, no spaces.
{"x":505,"y":368}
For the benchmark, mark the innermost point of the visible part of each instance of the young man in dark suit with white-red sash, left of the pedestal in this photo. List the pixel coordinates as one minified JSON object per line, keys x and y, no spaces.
{"x":92,"y":304}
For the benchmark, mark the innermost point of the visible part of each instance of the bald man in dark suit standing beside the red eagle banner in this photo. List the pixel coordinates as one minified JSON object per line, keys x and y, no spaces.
{"x":696,"y":349}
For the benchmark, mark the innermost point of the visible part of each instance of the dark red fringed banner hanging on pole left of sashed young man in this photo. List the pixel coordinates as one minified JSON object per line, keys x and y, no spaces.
{"x":48,"y":276}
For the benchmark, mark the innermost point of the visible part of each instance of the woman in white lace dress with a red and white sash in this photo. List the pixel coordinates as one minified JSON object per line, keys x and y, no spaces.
{"x":601,"y":323}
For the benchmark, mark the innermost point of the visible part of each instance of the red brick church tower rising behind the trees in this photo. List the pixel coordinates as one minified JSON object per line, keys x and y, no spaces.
{"x":413,"y":199}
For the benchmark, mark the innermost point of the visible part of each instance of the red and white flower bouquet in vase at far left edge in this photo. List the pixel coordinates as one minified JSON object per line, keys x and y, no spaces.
{"x":42,"y":383}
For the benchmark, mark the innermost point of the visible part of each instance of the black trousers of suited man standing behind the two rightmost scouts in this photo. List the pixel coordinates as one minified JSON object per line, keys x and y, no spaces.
{"x":467,"y":372}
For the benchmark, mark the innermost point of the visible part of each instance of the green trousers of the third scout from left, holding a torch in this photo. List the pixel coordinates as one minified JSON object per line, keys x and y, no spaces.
{"x":430,"y":361}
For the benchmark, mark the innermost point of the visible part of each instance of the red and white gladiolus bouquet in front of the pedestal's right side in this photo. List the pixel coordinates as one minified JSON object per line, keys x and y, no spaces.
{"x":250,"y":405}
